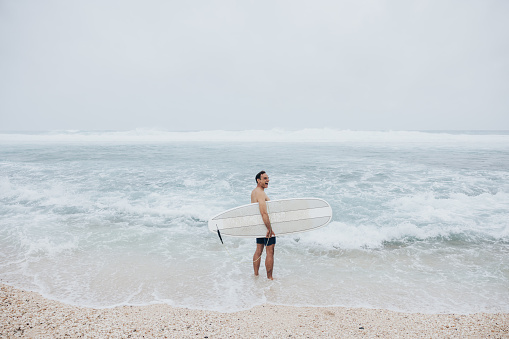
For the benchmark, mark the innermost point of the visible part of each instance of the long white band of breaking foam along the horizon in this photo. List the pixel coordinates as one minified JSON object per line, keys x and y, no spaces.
{"x":276,"y":135}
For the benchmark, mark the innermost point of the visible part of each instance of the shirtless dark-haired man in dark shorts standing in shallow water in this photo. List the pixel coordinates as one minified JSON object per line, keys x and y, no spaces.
{"x":258,"y":195}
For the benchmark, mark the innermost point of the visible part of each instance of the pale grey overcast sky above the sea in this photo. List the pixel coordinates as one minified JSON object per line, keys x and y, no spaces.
{"x":236,"y":65}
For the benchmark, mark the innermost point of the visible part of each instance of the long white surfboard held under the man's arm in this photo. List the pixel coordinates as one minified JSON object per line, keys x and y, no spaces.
{"x":286,"y":216}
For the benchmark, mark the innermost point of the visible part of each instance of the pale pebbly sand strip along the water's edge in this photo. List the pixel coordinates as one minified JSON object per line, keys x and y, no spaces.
{"x":29,"y":315}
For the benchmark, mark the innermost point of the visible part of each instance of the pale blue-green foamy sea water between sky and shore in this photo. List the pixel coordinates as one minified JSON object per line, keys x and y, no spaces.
{"x":420,"y":219}
